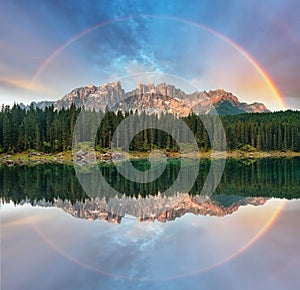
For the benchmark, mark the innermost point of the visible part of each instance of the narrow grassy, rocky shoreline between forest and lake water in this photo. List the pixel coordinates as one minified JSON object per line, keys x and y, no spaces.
{"x":66,"y":157}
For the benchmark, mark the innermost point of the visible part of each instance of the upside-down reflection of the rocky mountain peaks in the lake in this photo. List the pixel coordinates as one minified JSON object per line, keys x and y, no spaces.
{"x":154,"y":207}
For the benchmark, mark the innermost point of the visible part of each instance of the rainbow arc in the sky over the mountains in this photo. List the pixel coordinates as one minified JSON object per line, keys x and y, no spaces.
{"x":255,"y":64}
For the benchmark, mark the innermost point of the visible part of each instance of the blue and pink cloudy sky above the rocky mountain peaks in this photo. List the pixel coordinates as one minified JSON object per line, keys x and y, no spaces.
{"x":250,"y":48}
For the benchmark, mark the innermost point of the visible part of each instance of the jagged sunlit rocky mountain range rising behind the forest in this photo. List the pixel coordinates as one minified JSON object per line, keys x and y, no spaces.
{"x":153,"y":99}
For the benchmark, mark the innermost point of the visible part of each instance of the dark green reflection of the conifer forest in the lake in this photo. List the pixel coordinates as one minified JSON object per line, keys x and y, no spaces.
{"x":263,"y":177}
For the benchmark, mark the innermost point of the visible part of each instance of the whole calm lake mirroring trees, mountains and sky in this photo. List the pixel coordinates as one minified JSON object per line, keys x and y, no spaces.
{"x":245,"y":235}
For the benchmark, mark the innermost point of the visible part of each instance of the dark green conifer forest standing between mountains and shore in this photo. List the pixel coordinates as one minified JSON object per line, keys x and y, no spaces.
{"x":51,"y":130}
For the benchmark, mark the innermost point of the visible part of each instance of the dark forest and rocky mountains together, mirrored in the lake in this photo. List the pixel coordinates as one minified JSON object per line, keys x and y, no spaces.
{"x":243,"y":182}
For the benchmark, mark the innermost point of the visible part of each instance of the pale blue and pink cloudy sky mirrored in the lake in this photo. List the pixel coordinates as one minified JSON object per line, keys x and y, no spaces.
{"x":194,"y":252}
